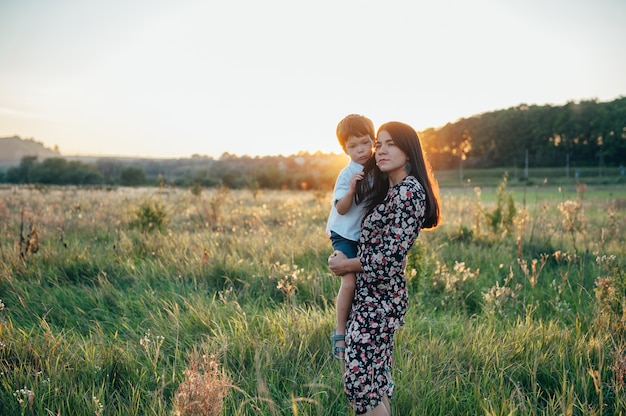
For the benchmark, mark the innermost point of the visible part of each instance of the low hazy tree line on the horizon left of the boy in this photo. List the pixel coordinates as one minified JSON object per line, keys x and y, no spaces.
{"x":301,"y":171}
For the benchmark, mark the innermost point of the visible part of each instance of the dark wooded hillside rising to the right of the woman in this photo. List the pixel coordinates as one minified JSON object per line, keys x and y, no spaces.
{"x":582,"y":134}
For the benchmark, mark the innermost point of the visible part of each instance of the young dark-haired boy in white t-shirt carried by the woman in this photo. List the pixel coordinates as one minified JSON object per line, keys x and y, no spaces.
{"x":356,"y":136}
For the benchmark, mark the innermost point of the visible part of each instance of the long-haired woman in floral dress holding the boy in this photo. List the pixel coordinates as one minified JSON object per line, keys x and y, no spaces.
{"x":401,"y":197}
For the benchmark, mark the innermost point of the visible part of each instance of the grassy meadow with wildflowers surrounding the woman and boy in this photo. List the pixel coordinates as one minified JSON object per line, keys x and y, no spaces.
{"x":162,"y":302}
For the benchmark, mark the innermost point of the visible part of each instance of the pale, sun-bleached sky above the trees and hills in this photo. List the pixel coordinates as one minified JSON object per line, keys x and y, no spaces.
{"x":172,"y":79}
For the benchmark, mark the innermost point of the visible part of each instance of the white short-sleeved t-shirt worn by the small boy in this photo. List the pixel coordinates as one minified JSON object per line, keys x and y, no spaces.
{"x":347,"y":225}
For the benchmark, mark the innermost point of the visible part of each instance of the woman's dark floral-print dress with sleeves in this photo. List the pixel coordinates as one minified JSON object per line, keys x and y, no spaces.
{"x":381,"y":298}
